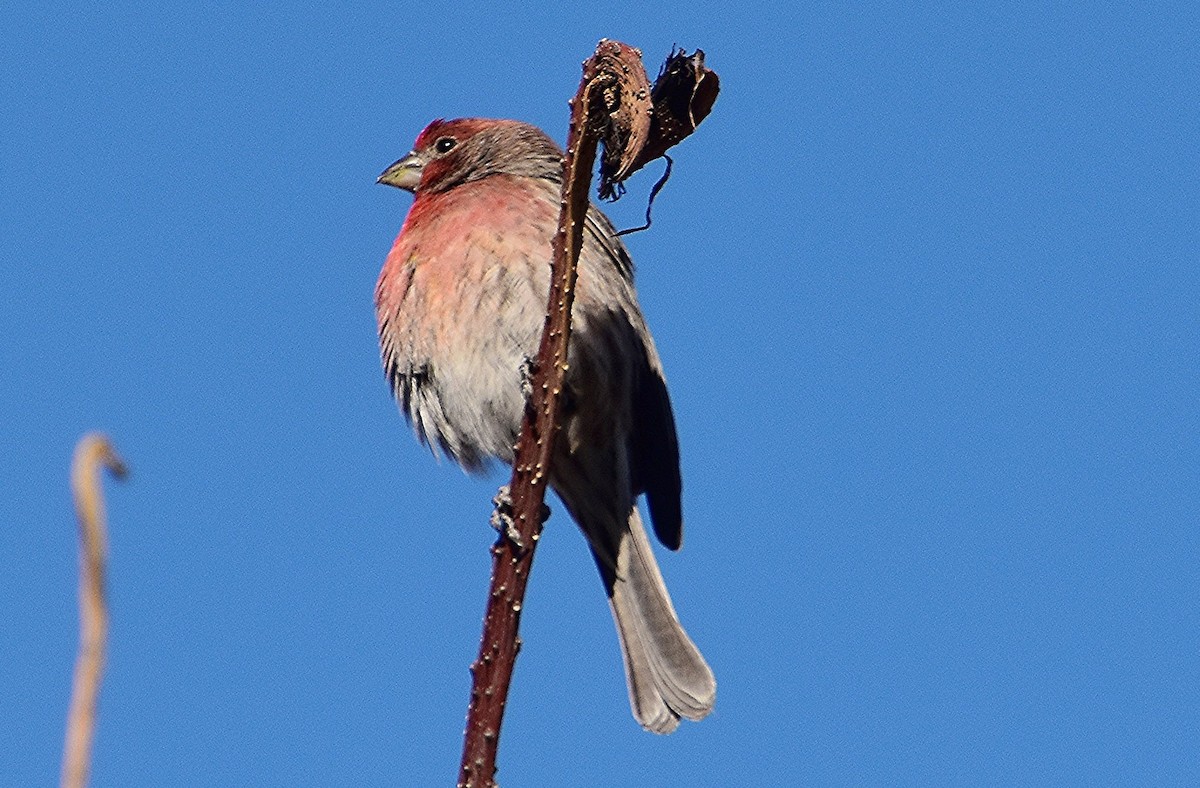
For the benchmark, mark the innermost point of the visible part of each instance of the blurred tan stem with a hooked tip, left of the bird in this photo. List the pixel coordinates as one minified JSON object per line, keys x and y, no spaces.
{"x":93,"y":453}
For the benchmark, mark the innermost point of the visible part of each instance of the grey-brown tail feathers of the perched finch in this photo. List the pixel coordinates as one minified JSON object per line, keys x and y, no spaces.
{"x":668,"y":677}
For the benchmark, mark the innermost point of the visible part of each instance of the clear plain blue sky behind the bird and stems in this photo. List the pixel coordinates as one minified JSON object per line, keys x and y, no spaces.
{"x":927,"y":290}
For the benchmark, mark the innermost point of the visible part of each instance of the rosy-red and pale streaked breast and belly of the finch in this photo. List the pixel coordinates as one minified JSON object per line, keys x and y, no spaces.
{"x":460,"y":305}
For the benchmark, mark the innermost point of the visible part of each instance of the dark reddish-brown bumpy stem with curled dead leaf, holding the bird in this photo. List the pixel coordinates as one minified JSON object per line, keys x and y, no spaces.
{"x":613,"y":105}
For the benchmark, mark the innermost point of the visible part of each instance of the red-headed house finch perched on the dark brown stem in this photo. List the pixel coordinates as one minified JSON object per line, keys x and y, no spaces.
{"x":461,"y":304}
